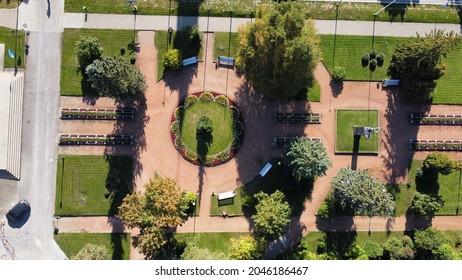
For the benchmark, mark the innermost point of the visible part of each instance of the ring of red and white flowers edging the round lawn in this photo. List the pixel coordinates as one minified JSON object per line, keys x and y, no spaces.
{"x":232,"y":149}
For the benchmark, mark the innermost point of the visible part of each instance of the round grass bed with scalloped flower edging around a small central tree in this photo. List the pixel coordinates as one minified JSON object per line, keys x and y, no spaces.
{"x":226,"y":133}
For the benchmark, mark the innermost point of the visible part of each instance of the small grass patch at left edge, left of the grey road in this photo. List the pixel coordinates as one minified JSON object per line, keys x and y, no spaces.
{"x":8,"y":37}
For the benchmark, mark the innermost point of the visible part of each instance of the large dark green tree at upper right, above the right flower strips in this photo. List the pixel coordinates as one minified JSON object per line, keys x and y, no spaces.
{"x":418,"y":63}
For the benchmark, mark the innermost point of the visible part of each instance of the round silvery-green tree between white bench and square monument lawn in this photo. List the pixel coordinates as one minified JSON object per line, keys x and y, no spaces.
{"x":307,"y":158}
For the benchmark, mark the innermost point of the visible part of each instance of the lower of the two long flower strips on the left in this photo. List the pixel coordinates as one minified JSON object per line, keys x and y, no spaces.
{"x":95,"y":139}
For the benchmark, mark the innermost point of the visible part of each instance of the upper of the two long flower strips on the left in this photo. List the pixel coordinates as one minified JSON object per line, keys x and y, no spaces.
{"x":97,"y":114}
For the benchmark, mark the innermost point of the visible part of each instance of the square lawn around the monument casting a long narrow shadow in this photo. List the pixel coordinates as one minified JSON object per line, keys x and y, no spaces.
{"x":346,"y":120}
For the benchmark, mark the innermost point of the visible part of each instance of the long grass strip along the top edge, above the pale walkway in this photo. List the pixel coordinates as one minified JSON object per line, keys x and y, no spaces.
{"x":244,"y":8}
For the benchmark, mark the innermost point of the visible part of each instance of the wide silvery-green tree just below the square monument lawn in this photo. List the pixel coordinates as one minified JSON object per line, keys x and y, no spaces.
{"x":358,"y":192}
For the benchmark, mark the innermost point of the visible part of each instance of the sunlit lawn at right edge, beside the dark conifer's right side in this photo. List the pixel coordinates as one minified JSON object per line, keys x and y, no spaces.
{"x":449,"y":88}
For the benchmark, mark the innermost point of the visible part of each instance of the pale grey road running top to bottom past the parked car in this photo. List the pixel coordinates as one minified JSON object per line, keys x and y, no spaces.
{"x":32,"y":237}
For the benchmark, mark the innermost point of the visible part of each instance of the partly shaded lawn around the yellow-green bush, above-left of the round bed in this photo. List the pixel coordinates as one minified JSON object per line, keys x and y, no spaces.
{"x":163,"y":42}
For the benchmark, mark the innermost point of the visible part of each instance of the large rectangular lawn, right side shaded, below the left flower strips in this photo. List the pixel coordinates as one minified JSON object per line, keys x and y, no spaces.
{"x":92,"y":185}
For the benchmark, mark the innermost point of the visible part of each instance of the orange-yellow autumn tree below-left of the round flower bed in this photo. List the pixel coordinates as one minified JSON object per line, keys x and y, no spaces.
{"x":155,"y":212}
